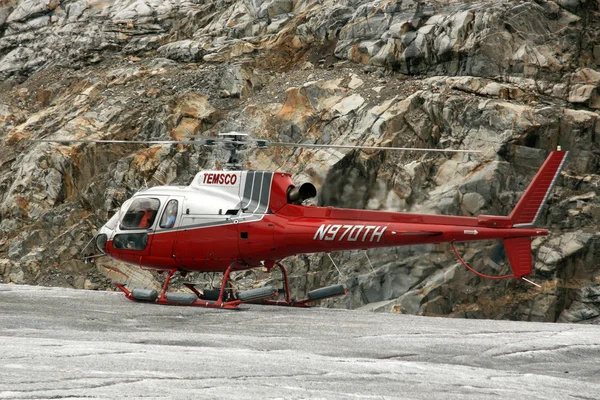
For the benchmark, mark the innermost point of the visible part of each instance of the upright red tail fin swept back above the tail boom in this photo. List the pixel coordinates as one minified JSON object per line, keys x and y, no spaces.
{"x":529,"y":207}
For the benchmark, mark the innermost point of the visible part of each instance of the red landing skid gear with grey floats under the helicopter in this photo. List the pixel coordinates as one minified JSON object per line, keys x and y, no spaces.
{"x":226,"y":298}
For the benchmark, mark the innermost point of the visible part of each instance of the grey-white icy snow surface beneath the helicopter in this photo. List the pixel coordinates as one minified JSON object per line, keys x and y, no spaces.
{"x":62,"y":343}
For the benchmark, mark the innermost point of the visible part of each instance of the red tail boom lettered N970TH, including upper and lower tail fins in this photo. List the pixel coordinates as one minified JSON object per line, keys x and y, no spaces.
{"x":305,"y":230}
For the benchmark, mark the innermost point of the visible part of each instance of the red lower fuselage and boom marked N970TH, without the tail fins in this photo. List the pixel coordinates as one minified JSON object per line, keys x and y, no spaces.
{"x":306,"y":230}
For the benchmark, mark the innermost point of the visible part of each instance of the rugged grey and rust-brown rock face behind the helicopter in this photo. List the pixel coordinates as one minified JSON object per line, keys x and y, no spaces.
{"x":511,"y":78}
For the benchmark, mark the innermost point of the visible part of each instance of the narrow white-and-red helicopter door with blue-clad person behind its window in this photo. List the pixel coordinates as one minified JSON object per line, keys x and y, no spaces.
{"x":165,"y":231}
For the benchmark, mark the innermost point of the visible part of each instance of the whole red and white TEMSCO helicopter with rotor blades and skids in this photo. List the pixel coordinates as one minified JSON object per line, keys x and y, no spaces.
{"x":232,"y":220}
